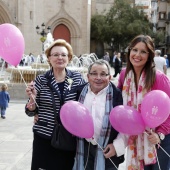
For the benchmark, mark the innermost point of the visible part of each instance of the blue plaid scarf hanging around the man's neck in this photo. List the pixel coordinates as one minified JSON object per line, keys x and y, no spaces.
{"x":104,"y":134}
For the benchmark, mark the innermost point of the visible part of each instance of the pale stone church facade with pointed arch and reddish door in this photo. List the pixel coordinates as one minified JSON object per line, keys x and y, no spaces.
{"x":68,"y":19}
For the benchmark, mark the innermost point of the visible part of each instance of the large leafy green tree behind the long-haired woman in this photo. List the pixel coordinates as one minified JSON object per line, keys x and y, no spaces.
{"x":123,"y":22}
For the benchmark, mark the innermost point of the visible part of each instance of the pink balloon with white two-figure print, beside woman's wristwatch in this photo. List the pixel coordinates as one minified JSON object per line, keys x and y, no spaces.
{"x":155,"y":108}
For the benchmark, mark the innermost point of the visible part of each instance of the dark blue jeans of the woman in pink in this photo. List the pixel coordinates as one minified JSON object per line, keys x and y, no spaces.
{"x":163,"y":158}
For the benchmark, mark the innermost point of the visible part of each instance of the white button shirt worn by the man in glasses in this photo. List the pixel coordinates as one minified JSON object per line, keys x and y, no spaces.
{"x":96,"y":105}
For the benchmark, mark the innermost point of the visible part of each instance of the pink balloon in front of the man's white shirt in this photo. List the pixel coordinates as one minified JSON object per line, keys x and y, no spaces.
{"x":77,"y":119}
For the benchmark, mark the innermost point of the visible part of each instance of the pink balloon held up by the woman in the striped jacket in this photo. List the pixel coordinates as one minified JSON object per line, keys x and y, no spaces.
{"x":11,"y":44}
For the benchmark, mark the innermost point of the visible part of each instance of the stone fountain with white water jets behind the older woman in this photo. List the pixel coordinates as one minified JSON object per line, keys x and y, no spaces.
{"x":29,"y":73}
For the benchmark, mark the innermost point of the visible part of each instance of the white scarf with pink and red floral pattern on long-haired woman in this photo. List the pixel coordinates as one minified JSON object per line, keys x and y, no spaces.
{"x":140,"y":151}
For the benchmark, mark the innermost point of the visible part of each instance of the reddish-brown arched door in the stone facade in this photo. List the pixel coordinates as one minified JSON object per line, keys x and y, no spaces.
{"x":61,"y":31}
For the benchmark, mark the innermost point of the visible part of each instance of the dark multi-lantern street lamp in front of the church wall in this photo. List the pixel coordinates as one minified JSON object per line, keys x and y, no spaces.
{"x":43,"y":33}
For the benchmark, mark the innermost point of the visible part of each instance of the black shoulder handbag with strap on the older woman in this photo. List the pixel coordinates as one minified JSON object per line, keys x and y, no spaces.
{"x":61,"y":138}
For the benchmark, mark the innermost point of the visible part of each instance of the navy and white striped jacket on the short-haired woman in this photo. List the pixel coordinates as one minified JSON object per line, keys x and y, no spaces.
{"x":45,"y":125}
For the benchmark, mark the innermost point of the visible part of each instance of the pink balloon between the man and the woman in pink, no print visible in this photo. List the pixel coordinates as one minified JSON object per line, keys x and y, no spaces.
{"x":127,"y":120}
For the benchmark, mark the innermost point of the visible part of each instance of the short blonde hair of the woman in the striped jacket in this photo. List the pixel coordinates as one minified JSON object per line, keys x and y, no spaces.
{"x":60,"y":42}
